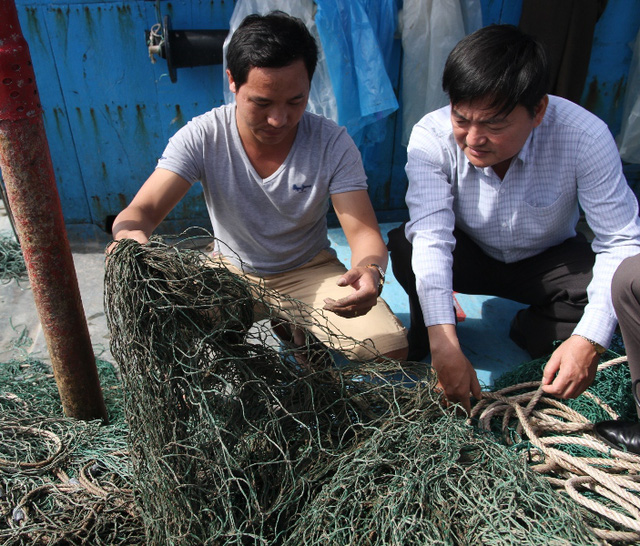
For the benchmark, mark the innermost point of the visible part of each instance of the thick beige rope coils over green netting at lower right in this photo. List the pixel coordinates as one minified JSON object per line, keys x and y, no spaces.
{"x":559,"y":444}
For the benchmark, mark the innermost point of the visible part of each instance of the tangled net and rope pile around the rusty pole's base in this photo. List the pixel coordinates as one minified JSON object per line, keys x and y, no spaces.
{"x":62,"y":481}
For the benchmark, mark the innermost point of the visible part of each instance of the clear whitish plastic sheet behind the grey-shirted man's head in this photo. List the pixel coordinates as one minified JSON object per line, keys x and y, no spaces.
{"x":322,"y":100}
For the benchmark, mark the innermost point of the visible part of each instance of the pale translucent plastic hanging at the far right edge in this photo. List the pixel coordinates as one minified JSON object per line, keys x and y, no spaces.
{"x":629,"y":138}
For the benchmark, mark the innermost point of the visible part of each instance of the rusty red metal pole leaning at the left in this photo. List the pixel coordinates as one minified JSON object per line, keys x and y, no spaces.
{"x":34,"y":201}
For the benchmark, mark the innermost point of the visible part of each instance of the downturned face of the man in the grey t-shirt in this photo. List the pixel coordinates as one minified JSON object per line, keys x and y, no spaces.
{"x":270,"y":104}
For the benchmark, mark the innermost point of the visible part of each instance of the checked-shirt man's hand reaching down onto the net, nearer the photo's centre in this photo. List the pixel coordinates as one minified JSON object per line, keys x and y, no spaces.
{"x":455,"y":373}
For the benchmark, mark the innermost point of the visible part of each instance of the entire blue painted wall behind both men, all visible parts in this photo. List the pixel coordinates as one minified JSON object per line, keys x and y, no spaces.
{"x":109,"y":111}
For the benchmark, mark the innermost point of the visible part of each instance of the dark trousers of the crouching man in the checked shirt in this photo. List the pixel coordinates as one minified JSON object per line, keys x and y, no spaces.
{"x":553,"y":284}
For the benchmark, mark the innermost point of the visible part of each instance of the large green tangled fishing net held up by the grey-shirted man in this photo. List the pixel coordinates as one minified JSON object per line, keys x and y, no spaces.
{"x":237,"y":439}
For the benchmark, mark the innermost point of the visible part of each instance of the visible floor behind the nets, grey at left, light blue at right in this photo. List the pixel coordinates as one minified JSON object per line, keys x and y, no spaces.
{"x":483,"y":333}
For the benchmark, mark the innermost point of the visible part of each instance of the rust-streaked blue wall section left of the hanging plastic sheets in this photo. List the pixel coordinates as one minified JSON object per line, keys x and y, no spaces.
{"x":109,"y":111}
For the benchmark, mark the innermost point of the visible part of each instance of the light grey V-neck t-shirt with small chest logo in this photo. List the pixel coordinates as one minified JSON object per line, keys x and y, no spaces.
{"x":277,"y":223}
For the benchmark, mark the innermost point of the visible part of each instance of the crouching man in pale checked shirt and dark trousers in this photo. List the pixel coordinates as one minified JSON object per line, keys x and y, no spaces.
{"x":496,"y":183}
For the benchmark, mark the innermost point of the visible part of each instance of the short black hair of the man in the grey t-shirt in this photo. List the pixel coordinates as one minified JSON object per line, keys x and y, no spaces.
{"x":274,"y":40}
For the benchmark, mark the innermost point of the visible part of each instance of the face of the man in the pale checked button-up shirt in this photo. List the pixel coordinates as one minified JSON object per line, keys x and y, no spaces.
{"x":489,"y":139}
